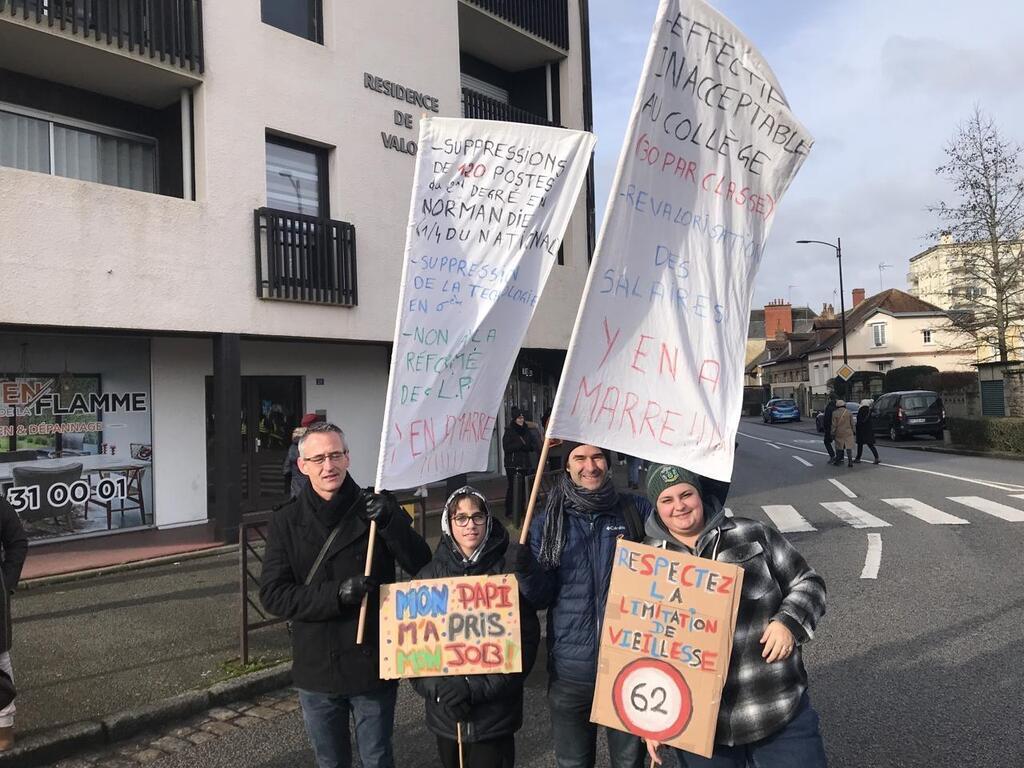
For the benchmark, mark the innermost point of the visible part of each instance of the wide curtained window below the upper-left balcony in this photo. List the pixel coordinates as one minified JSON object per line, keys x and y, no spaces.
{"x":33,"y":142}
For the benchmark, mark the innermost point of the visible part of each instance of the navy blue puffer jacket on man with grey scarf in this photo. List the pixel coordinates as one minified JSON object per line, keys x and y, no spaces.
{"x":575,"y":593}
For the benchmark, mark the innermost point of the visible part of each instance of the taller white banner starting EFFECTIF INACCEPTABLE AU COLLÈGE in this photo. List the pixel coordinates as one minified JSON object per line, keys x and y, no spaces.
{"x":656,"y":366}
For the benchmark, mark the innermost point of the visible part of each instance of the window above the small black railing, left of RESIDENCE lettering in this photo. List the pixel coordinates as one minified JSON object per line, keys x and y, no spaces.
{"x":296,"y":179}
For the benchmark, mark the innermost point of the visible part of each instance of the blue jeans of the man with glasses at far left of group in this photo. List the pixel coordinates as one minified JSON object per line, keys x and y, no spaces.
{"x":327,"y":715}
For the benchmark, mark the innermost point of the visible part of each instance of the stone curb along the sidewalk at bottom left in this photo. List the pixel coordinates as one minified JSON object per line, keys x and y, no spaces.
{"x":49,"y":747}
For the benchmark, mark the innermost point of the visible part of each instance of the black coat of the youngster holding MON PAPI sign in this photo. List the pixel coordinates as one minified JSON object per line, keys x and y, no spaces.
{"x":497,"y":700}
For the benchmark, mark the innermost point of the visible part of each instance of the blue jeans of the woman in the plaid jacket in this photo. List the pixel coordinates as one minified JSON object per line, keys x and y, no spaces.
{"x":798,"y":744}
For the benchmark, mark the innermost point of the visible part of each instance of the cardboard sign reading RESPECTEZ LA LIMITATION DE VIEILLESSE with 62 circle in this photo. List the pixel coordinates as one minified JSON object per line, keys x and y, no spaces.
{"x":666,"y":646}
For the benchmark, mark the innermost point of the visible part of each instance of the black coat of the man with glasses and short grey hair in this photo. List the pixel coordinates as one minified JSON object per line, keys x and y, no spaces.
{"x":326,"y":658}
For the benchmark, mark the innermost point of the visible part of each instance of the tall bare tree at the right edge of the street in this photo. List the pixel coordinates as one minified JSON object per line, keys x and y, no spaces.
{"x":985,"y":228}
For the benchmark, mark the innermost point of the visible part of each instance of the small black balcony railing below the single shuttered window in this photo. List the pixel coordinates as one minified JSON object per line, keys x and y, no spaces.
{"x":305,"y":259}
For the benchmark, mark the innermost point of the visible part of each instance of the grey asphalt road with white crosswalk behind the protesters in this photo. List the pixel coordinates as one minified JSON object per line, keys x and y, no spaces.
{"x":920,"y":666}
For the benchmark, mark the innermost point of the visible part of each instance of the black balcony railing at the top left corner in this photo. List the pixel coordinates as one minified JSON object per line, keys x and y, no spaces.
{"x":172,"y":30}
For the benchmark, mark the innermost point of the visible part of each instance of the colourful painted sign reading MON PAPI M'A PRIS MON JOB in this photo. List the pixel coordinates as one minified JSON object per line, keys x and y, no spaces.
{"x":459,"y":626}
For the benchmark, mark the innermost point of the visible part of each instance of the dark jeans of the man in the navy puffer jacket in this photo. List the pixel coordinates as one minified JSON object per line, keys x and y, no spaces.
{"x":576,"y":737}
